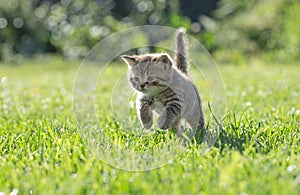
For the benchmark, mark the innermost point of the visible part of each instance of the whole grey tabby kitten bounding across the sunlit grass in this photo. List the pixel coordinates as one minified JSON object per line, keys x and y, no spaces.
{"x":163,"y":85}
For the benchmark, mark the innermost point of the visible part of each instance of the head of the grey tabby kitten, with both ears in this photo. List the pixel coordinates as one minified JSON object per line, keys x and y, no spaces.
{"x":148,"y":73}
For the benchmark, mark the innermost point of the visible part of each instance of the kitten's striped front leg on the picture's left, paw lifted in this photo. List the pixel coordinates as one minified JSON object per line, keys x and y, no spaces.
{"x":145,"y":113}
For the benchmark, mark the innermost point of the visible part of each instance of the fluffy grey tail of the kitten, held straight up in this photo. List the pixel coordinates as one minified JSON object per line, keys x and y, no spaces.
{"x":181,"y":58}
